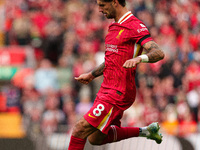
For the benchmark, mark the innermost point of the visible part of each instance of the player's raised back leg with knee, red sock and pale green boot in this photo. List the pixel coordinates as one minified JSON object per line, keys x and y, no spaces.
{"x":116,"y":134}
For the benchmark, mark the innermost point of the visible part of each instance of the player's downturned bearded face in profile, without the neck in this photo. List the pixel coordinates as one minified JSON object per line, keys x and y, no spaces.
{"x":106,"y":8}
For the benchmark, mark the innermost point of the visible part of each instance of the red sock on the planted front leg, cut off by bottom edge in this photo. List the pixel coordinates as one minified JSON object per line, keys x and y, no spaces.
{"x":76,"y":143}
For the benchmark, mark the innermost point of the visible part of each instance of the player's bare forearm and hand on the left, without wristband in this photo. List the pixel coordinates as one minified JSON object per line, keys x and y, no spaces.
{"x":88,"y":77}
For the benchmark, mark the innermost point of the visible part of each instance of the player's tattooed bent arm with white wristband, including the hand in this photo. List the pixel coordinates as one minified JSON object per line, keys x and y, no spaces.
{"x":154,"y":54}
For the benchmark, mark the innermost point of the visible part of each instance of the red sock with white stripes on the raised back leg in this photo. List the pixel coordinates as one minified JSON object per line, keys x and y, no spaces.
{"x":119,"y":133}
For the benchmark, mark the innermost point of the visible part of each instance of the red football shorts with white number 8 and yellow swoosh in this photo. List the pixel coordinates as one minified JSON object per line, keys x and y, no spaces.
{"x":102,"y":115}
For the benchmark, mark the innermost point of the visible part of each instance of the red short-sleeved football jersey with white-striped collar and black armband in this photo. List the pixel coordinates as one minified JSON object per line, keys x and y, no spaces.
{"x":123,"y":42}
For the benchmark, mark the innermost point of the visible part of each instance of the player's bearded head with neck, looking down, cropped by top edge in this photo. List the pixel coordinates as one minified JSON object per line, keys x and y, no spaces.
{"x":108,"y":7}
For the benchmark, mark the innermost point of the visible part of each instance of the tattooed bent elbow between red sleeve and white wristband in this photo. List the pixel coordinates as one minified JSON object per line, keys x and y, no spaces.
{"x":153,"y":51}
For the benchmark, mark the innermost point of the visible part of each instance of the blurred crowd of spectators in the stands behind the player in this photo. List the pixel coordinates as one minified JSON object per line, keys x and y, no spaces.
{"x":68,"y":39}
